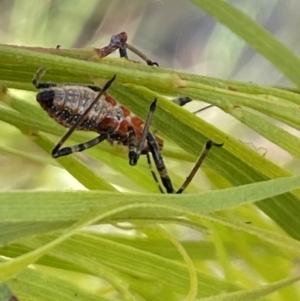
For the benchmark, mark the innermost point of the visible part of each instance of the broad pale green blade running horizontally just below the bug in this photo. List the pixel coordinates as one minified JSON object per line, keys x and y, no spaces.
{"x":50,"y":206}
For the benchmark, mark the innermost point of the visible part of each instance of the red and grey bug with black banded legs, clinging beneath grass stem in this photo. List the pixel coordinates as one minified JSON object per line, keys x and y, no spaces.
{"x":90,"y":108}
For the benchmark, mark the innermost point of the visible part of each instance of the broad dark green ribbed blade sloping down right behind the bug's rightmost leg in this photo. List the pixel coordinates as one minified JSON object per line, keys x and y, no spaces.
{"x":234,"y":161}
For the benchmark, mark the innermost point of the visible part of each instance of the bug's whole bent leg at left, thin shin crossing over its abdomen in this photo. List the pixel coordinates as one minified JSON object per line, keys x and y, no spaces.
{"x":80,"y":147}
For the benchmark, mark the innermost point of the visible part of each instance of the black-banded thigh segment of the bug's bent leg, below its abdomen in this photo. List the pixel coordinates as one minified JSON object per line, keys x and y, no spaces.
{"x":56,"y":153}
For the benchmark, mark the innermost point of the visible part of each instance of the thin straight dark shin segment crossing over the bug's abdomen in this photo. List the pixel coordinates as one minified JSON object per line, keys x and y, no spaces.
{"x":81,"y":118}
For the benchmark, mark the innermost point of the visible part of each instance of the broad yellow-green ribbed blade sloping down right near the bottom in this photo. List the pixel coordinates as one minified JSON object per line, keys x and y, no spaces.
{"x":93,"y":252}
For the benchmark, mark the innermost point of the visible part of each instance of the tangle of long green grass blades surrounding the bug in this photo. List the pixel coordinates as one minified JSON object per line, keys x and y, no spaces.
{"x":239,"y":250}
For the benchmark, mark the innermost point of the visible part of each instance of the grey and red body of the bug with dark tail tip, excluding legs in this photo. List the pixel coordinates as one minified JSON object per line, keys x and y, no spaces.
{"x":65,"y":104}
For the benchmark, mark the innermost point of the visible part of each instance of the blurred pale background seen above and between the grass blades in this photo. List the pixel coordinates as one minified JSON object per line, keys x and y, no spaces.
{"x":174,"y":33}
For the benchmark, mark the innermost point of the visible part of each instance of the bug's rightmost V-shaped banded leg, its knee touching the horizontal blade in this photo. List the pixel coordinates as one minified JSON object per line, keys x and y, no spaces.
{"x":161,"y":167}
